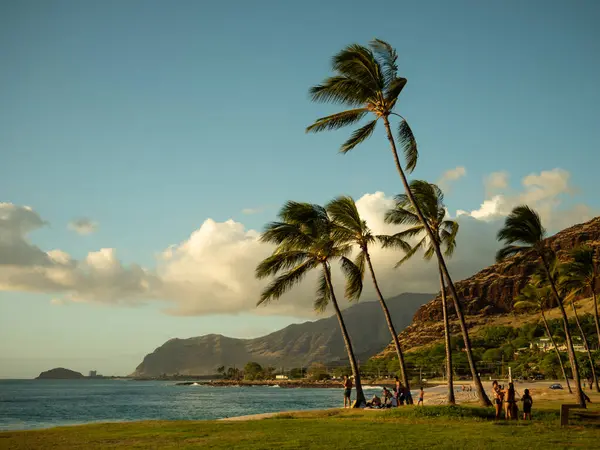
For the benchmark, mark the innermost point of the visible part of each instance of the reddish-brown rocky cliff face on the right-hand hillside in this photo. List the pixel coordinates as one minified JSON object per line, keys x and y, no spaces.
{"x":491,"y":291}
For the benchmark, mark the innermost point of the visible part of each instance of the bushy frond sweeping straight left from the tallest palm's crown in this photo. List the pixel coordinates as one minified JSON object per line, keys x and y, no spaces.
{"x":341,"y":89}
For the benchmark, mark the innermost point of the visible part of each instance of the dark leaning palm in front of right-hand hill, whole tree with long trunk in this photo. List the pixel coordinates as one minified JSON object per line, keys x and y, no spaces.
{"x":523,"y":233}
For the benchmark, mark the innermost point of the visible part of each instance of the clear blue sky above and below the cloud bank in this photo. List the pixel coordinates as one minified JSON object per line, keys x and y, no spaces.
{"x":150,"y":117}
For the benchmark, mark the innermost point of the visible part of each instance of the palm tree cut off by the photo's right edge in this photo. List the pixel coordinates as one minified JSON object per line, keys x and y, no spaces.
{"x":581,"y":274}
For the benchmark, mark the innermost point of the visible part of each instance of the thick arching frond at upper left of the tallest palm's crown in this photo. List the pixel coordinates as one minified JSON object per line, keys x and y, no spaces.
{"x":358,"y":63}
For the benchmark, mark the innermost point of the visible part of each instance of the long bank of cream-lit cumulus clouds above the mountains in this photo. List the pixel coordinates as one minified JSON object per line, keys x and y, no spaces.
{"x":212,"y":271}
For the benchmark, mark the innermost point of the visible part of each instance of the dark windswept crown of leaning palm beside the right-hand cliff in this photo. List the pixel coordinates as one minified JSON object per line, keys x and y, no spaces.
{"x":523,"y":226}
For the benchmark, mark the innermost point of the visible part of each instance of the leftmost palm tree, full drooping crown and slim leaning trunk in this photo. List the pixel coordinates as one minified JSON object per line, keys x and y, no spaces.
{"x":304,"y":242}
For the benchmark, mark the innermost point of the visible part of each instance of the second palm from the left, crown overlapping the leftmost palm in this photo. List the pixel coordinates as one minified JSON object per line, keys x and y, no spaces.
{"x":350,"y":228}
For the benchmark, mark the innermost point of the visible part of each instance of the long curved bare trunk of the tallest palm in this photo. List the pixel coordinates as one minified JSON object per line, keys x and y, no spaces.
{"x":483,"y":398}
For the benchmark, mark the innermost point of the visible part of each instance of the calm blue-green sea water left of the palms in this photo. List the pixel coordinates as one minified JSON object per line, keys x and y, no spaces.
{"x":26,"y":404}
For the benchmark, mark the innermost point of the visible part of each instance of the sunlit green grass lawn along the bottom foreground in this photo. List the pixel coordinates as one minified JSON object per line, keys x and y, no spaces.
{"x":416,"y":428}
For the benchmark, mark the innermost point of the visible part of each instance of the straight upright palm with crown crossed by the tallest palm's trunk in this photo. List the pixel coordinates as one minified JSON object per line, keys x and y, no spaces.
{"x":431,"y":201}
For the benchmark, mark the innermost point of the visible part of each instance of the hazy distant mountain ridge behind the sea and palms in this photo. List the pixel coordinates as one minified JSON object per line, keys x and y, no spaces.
{"x":293,"y":346}
